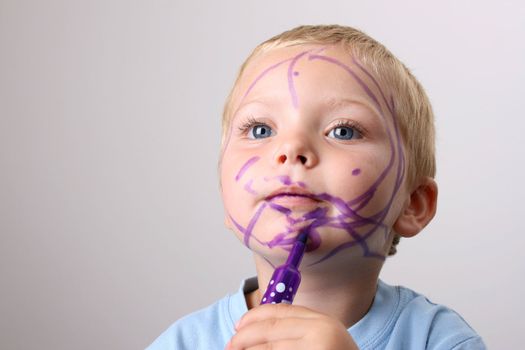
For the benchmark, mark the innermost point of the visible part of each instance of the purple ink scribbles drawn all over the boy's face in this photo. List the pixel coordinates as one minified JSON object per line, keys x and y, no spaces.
{"x":358,"y":227}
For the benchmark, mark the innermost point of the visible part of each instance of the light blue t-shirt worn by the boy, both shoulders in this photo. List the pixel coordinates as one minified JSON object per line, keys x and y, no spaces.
{"x":398,"y":319}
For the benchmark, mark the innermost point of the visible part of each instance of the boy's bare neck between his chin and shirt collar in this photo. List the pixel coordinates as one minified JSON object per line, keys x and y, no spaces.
{"x":346,"y":295}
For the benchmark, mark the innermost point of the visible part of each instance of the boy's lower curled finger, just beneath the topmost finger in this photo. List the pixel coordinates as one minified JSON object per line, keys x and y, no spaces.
{"x":270,"y":330}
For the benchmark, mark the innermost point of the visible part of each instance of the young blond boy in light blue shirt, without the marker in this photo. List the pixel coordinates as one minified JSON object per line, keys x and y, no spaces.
{"x":325,"y":133}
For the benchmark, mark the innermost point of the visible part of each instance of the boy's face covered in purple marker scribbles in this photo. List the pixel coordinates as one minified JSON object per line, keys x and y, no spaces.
{"x":312,"y":146}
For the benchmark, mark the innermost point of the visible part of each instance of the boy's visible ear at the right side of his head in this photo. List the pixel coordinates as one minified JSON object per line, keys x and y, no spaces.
{"x":418,"y":210}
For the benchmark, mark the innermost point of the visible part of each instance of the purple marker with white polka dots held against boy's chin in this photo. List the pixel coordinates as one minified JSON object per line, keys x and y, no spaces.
{"x":286,"y":278}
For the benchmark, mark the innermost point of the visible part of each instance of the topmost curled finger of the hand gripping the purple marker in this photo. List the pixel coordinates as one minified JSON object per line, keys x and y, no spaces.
{"x":275,"y":311}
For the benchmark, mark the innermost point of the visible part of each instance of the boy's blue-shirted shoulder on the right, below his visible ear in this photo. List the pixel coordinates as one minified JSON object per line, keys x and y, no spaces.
{"x":401,"y":318}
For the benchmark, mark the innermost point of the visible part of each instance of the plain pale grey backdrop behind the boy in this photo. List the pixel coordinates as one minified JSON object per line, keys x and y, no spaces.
{"x":111,"y":223}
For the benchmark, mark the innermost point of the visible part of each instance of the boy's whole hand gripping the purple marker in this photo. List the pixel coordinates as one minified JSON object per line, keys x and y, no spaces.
{"x":289,"y":327}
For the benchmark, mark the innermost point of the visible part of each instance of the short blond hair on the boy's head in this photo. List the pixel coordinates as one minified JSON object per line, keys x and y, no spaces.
{"x":412,"y":106}
